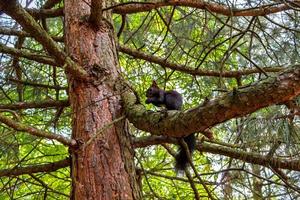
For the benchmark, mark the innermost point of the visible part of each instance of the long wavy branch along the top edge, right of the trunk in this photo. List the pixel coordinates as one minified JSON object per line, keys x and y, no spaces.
{"x":205,"y":5}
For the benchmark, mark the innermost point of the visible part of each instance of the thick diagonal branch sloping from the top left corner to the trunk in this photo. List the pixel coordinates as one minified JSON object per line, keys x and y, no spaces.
{"x":14,"y":9}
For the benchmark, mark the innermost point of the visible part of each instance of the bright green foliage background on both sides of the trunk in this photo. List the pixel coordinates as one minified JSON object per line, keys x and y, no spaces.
{"x":196,"y":38}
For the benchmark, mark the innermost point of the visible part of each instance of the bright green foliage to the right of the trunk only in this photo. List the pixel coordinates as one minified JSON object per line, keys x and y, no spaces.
{"x":202,"y":40}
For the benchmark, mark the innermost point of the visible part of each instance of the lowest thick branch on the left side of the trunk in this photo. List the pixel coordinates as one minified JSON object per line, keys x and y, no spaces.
{"x":49,"y":167}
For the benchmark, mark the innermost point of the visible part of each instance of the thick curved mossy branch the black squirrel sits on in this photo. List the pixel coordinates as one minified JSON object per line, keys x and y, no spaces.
{"x":240,"y":102}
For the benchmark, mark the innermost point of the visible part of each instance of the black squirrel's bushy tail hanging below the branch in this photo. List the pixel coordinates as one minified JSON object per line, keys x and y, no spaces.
{"x":182,"y":158}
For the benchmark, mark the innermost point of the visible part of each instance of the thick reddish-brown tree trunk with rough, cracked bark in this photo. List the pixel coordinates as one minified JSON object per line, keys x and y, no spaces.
{"x":104,"y":169}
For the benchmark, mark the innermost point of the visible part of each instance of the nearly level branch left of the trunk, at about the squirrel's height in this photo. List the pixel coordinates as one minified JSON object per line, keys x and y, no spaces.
{"x":38,"y":104}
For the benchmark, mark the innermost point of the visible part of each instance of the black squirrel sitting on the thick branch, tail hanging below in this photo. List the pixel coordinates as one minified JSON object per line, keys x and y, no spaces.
{"x":172,"y":100}
